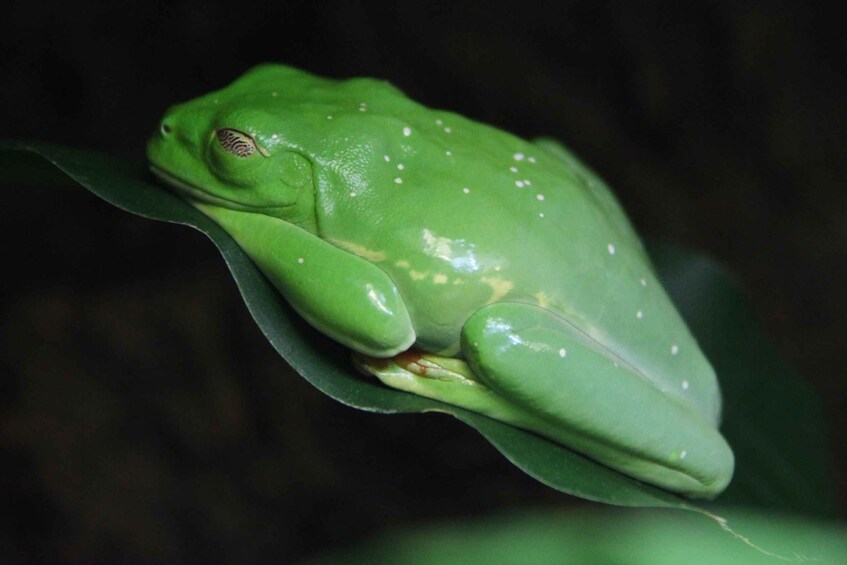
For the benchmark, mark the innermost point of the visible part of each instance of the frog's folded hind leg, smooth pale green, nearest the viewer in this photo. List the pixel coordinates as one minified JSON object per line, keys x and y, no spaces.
{"x":594,"y":402}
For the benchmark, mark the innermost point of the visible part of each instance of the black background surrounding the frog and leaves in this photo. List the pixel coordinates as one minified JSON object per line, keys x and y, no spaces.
{"x":143,"y":418}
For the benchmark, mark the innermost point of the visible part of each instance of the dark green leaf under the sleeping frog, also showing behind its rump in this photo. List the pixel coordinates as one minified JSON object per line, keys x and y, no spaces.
{"x":326,"y":365}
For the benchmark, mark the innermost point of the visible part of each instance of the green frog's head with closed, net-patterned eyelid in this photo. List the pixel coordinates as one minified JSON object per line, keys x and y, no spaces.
{"x":226,"y":149}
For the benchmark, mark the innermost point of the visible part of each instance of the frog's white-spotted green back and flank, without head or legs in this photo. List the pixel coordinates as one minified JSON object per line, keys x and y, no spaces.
{"x":461,"y":214}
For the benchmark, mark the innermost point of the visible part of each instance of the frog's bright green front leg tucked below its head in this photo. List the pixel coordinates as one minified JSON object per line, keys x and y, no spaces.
{"x":341,"y":294}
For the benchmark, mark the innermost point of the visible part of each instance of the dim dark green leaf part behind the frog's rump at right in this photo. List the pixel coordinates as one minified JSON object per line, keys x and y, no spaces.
{"x":772,"y":419}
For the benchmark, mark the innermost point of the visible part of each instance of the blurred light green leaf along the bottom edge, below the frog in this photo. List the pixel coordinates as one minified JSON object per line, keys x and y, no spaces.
{"x":602,"y":535}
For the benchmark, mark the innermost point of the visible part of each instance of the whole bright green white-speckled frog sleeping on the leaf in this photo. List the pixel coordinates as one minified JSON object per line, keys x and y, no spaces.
{"x":389,"y":225}
